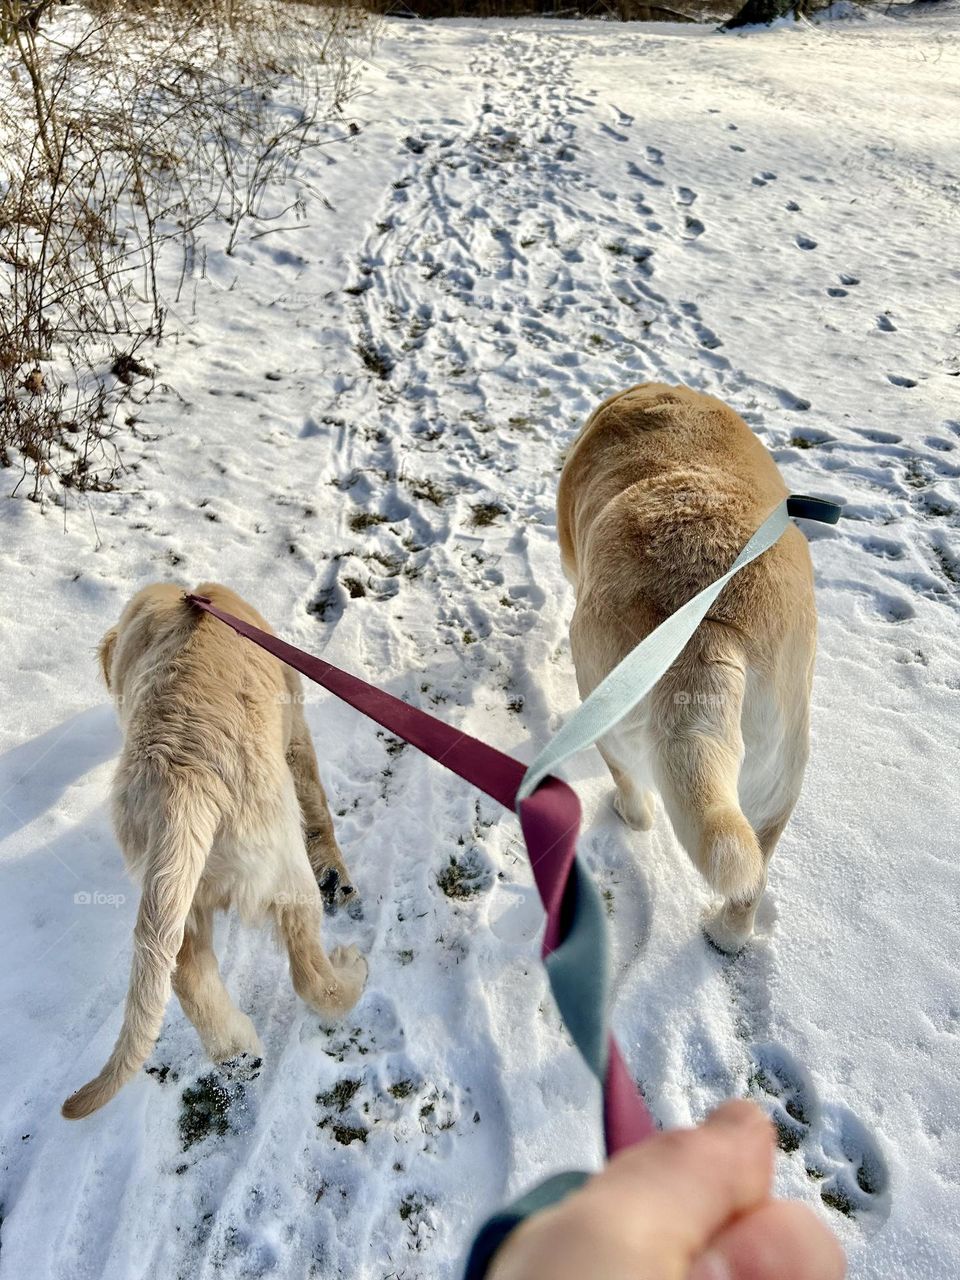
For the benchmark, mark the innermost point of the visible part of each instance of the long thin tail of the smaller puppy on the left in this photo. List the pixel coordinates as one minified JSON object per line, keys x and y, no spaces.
{"x":175,"y":865}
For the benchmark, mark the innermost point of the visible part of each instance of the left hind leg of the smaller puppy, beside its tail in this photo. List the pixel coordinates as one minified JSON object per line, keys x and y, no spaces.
{"x":225,"y":1031}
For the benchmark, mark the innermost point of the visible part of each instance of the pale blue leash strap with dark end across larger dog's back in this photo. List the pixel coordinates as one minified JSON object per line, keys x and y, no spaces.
{"x":636,"y":676}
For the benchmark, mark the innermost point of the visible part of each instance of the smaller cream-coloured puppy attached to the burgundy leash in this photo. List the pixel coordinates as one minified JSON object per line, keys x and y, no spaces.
{"x":217,"y":804}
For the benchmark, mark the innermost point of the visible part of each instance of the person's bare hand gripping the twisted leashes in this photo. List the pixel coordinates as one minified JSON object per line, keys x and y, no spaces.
{"x":687,"y":1205}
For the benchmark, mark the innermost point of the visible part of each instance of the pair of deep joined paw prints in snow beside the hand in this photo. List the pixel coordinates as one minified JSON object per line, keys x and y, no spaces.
{"x":839,"y":1150}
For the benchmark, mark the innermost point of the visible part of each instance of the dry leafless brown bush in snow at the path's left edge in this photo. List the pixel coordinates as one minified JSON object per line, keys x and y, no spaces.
{"x":126,"y":127}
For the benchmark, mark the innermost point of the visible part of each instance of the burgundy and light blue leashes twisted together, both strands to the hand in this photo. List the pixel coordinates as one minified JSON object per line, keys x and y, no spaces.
{"x":575,"y":940}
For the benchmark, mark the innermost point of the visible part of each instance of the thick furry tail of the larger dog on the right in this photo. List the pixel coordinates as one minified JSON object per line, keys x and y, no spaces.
{"x":698,"y":749}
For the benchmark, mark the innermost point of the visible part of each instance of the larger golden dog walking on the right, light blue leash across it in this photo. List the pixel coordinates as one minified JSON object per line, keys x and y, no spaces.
{"x":659,"y":496}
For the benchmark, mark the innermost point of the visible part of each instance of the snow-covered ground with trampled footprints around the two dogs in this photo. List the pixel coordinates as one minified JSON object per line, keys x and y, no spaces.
{"x":362,"y":432}
